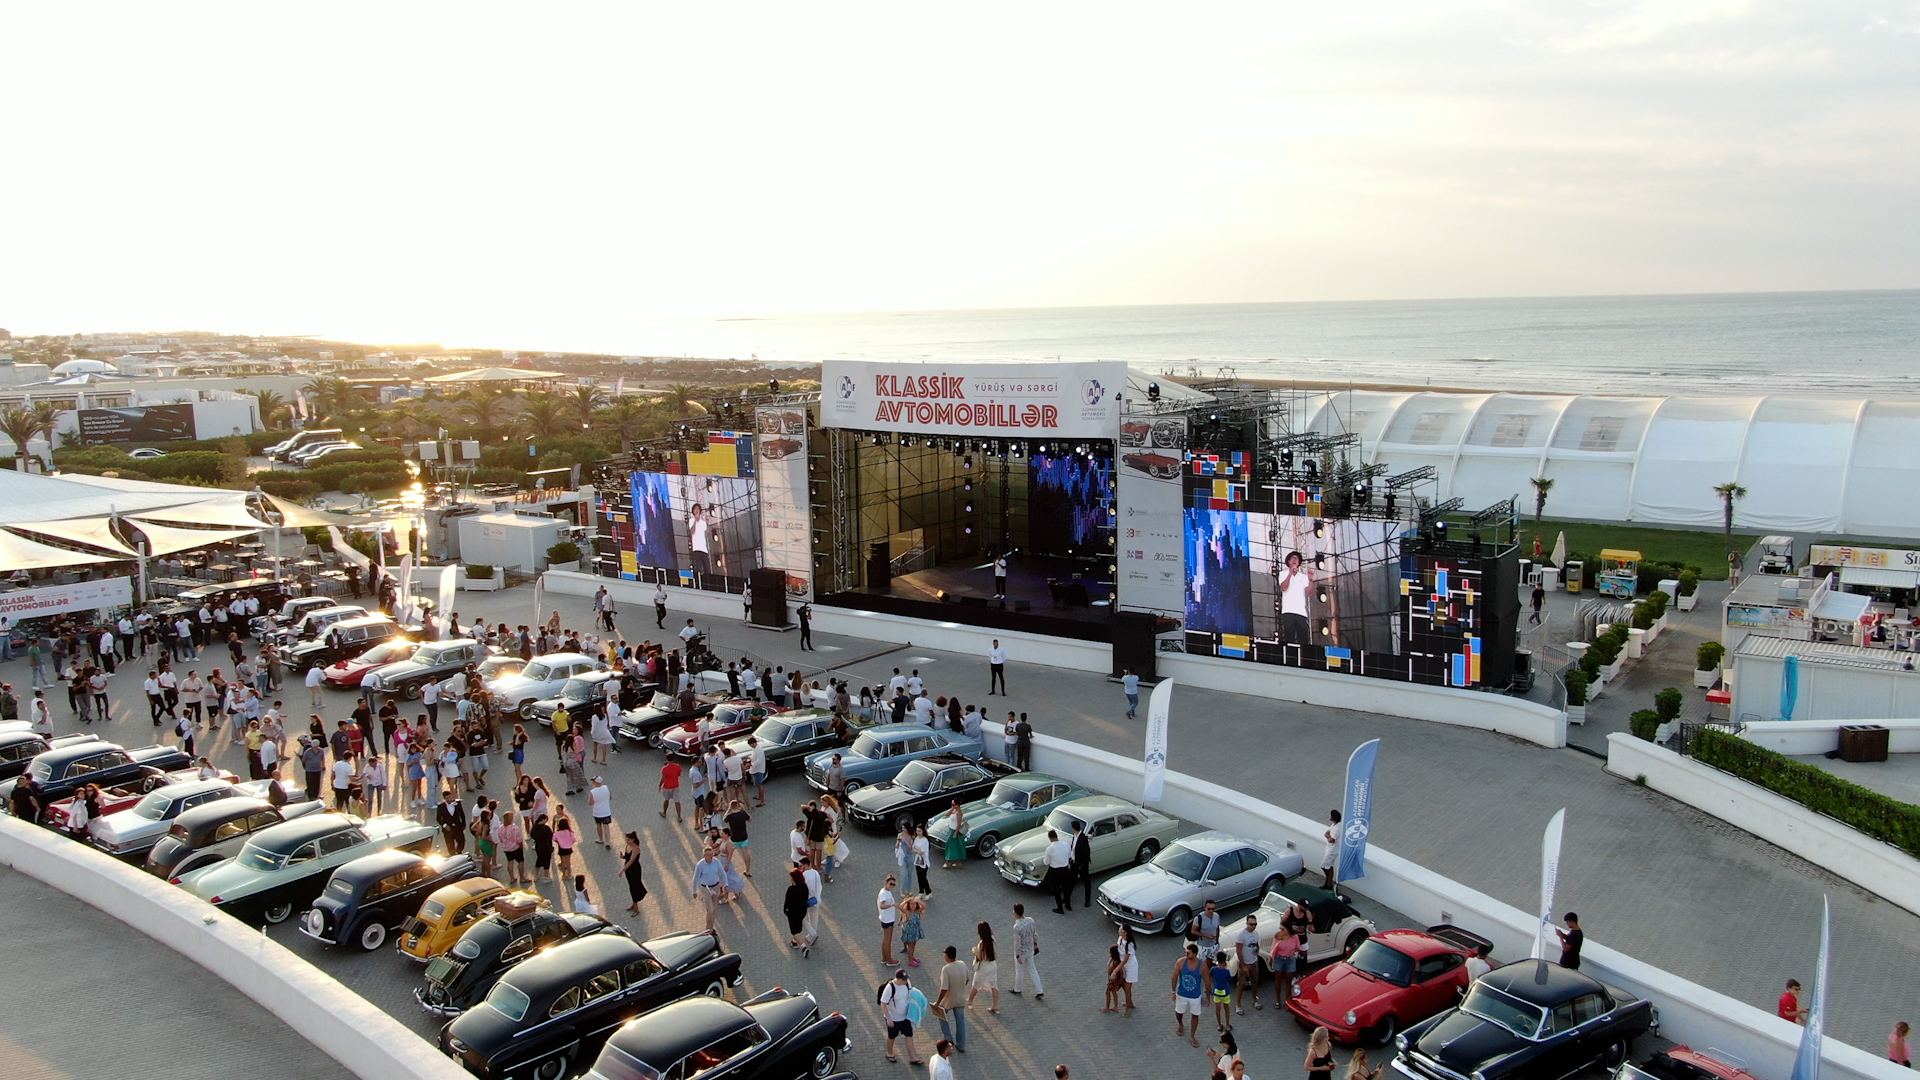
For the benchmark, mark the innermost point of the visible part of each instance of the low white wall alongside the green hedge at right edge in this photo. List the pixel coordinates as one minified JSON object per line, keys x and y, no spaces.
{"x":1879,"y":868}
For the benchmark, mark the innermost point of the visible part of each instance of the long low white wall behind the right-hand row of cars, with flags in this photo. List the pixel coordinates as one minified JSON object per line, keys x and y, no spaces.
{"x":1691,"y":1014}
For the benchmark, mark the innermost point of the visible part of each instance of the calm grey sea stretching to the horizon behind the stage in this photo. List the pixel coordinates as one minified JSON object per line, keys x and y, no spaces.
{"x":1846,"y":345}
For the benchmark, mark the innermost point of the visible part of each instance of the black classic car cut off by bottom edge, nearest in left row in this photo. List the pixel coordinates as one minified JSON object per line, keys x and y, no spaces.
{"x":777,"y":1037}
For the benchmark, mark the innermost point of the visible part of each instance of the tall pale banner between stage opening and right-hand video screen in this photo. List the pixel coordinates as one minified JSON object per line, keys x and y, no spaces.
{"x":1147,"y":503}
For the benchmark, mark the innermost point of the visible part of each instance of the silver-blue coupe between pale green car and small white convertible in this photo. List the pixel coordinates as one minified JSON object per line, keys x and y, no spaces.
{"x":1214,"y":866}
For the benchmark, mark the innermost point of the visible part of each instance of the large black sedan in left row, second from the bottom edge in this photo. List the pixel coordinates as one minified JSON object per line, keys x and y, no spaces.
{"x":552,"y":1014}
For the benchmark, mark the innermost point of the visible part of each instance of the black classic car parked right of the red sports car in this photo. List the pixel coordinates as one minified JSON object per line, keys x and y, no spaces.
{"x":1525,"y":1019}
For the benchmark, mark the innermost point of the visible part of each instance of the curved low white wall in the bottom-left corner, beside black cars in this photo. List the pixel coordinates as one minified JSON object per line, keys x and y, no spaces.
{"x":337,"y":1021}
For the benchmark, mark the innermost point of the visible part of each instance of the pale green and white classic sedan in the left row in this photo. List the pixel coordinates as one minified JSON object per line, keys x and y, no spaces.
{"x":283,"y":868}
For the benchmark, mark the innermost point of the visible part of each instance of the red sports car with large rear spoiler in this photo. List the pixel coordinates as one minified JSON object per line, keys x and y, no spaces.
{"x":1389,"y":981}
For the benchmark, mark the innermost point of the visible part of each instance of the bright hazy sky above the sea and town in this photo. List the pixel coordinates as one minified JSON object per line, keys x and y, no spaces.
{"x":489,"y":174}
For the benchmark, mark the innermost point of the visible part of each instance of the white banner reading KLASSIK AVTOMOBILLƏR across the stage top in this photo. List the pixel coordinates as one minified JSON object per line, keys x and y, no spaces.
{"x":1007,"y":401}
